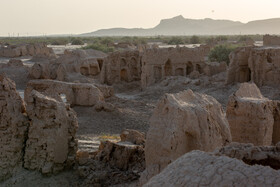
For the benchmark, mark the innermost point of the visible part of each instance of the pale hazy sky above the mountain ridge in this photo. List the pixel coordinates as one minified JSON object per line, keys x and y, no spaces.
{"x":37,"y":17}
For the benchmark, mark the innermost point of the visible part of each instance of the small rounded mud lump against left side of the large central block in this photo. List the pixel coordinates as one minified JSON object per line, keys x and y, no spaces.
{"x":133,"y":136}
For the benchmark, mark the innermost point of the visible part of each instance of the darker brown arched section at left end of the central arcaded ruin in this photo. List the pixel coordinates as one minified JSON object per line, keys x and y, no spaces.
{"x":121,"y":66}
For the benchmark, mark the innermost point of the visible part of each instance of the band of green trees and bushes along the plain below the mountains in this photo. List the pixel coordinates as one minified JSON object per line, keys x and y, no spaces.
{"x":219,"y":53}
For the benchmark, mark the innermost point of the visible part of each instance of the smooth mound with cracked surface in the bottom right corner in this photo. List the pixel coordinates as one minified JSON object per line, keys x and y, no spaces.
{"x":202,"y":169}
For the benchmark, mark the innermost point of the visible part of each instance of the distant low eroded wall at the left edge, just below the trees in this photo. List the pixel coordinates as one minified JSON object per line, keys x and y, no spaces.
{"x":38,"y":49}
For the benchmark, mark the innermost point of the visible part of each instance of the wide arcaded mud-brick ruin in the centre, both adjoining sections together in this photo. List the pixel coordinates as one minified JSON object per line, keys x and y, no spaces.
{"x":152,"y":65}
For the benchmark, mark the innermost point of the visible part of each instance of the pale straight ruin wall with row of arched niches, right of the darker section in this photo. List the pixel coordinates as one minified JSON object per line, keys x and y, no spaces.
{"x":160,"y":63}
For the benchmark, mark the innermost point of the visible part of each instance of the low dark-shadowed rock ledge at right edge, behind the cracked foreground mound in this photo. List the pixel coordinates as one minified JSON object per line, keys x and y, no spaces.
{"x":252,"y":155}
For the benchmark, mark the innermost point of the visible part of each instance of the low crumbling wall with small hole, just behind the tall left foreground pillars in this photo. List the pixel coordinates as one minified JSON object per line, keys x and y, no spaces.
{"x":81,"y":94}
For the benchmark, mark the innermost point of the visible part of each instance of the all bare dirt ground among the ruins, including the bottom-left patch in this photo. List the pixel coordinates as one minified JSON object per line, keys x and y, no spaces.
{"x":132,"y":109}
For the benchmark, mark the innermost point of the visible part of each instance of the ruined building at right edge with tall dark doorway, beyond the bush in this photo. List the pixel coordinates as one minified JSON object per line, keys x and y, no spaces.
{"x":260,"y":65}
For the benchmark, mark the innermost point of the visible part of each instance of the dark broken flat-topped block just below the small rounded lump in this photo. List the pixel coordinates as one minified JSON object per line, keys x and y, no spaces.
{"x":122,"y":155}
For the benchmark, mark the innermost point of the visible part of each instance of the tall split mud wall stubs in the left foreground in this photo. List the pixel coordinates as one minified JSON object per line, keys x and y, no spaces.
{"x":39,"y":135}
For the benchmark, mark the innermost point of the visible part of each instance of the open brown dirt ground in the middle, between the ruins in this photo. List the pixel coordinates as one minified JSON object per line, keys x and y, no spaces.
{"x":133,"y":107}
